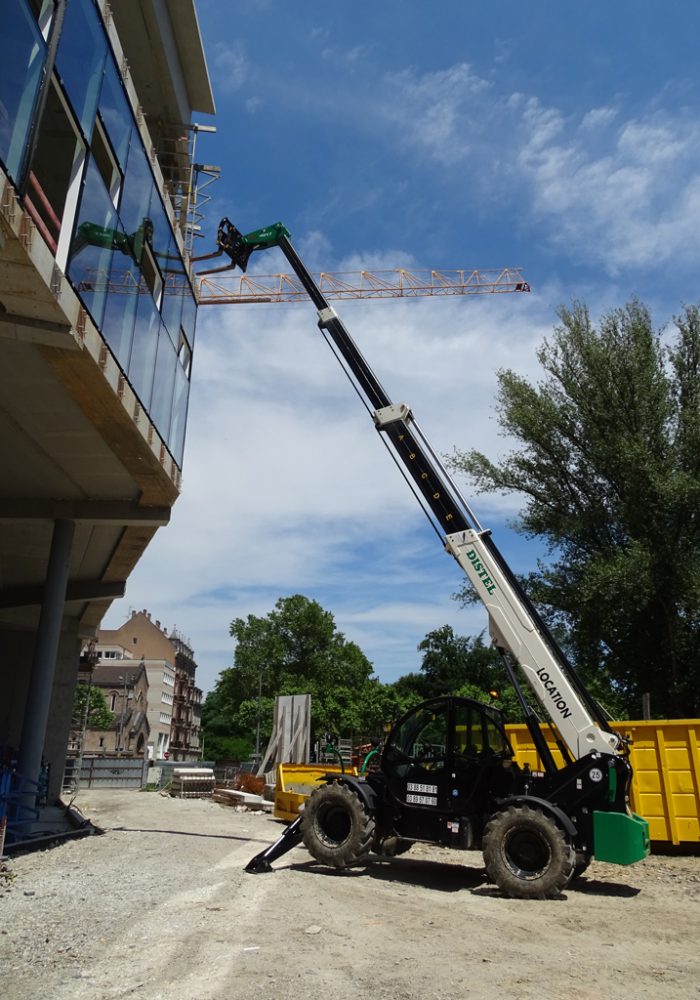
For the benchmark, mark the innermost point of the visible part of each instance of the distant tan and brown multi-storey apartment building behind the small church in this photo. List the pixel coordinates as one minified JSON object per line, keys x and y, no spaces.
{"x":173,"y":701}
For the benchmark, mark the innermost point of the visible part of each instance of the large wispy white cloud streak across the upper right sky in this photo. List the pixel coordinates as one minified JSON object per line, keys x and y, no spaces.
{"x":617,"y":192}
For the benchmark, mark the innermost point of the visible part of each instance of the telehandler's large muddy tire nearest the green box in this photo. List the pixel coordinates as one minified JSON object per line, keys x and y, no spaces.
{"x":527,"y":855}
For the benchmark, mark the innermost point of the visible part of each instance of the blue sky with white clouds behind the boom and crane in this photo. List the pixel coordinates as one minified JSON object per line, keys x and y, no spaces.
{"x":563,"y":138}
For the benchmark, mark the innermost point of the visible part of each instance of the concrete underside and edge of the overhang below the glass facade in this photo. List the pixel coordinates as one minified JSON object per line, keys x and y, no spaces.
{"x":75,"y":441}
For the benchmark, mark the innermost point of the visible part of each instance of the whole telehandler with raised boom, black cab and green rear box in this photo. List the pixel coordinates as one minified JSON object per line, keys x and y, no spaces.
{"x":447,"y":774}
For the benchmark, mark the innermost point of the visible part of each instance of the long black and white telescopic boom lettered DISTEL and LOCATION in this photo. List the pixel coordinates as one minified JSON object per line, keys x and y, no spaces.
{"x":515,"y":626}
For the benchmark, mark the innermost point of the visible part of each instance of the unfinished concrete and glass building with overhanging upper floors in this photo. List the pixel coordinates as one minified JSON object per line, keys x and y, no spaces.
{"x":97,"y":110}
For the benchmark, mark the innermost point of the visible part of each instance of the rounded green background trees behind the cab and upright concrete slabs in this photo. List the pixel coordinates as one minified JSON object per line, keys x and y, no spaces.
{"x":296,"y":649}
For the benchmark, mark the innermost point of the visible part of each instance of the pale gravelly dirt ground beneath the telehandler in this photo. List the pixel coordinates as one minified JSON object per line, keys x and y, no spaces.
{"x":159,"y":908}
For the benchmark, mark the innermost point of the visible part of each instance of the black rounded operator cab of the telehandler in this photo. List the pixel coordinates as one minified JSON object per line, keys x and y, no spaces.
{"x":443,"y":759}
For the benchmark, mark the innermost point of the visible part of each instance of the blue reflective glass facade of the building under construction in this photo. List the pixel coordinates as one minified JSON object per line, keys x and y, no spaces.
{"x":122,"y":257}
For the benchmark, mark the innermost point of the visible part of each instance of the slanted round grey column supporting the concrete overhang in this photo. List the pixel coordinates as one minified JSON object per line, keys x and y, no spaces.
{"x":36,"y":713}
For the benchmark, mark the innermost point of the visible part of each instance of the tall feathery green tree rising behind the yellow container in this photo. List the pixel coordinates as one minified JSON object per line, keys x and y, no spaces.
{"x":608,"y":460}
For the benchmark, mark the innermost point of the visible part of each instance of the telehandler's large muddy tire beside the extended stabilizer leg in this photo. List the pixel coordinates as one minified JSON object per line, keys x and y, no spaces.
{"x":336,"y":828}
